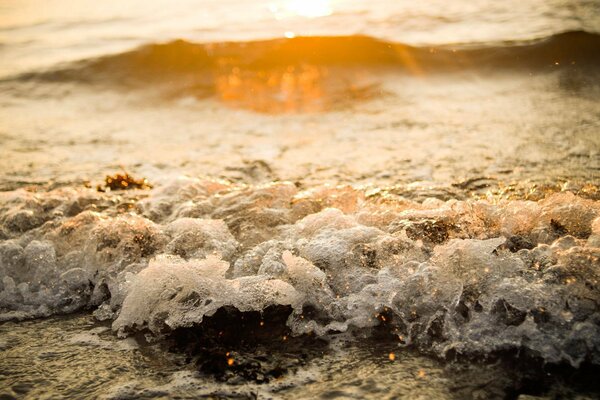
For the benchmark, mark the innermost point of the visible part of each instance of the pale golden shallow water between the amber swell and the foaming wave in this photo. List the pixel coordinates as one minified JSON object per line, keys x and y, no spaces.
{"x":437,"y":130}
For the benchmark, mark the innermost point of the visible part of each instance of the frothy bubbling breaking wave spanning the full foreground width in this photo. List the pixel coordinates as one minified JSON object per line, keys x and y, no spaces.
{"x":471,"y":277}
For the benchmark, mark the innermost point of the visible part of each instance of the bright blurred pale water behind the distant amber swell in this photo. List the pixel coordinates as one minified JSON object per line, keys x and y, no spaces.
{"x":37,"y":33}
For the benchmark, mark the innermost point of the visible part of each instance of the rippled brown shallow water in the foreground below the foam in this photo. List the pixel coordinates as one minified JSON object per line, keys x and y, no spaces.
{"x":78,"y":357}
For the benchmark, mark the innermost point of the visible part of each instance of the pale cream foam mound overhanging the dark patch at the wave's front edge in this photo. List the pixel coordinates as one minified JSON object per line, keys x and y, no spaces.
{"x":172,"y":293}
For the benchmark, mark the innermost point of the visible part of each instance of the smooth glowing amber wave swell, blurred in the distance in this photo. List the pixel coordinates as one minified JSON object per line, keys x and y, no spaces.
{"x":180,"y":59}
